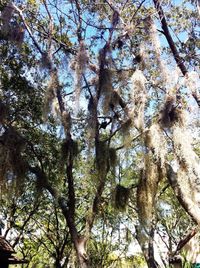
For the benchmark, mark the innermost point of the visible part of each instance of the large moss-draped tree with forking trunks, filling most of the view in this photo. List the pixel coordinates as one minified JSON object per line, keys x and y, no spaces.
{"x":127,"y":90}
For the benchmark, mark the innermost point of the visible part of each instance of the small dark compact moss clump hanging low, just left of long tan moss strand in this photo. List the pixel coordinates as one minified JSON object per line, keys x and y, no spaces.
{"x":121,"y":197}
